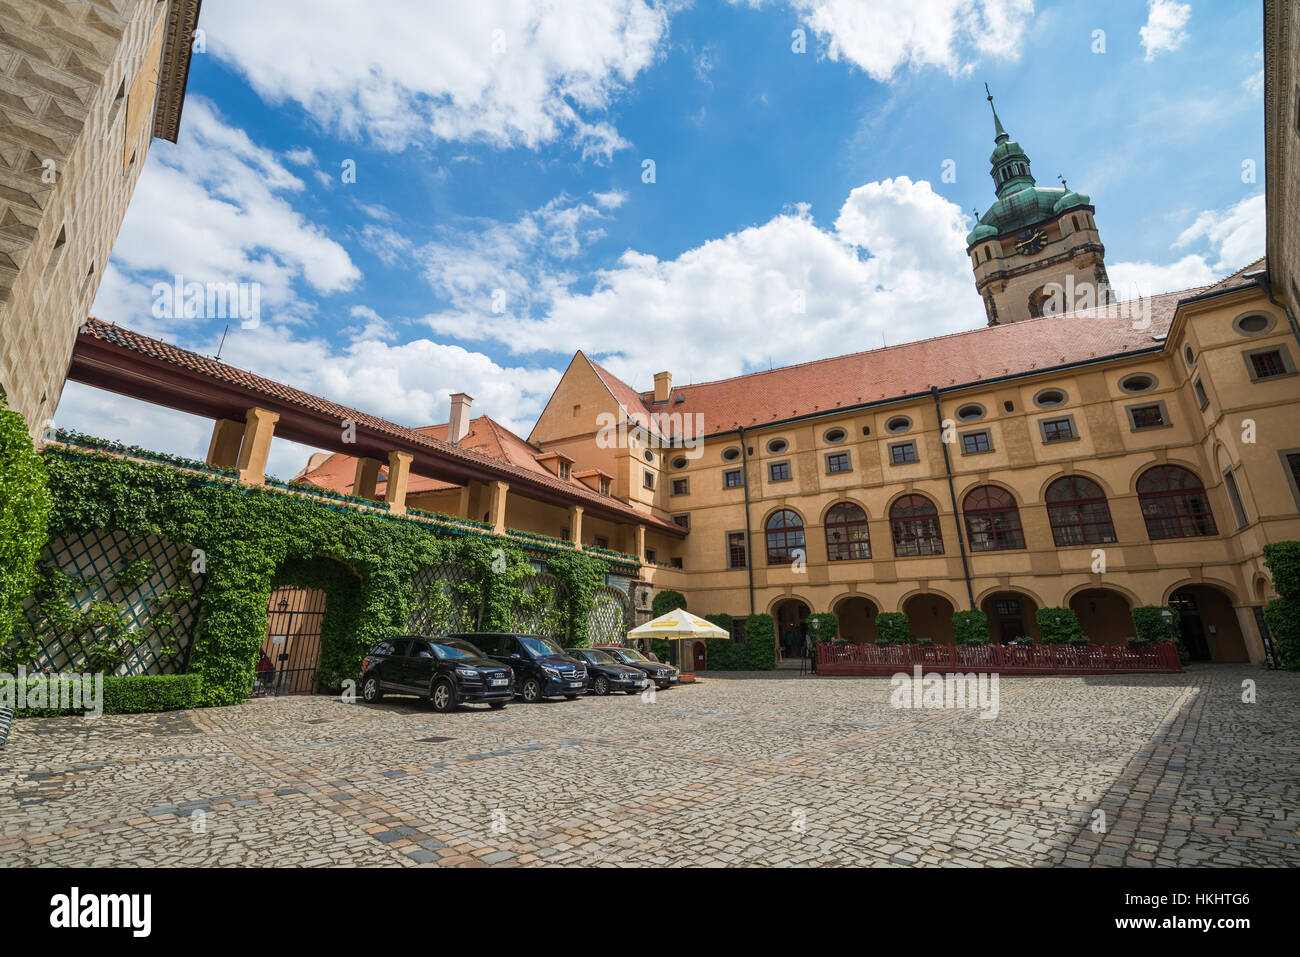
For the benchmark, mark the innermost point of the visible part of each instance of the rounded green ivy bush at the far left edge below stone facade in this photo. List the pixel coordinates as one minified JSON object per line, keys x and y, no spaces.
{"x":24,"y":517}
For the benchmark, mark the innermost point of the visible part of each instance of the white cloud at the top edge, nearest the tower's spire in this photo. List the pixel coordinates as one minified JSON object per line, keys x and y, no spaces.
{"x":882,"y":37}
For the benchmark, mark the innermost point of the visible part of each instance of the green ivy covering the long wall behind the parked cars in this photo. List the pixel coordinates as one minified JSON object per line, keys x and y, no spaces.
{"x":249,"y":540}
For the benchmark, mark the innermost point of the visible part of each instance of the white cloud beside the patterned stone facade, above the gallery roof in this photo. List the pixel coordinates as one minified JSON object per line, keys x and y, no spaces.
{"x":215,"y":209}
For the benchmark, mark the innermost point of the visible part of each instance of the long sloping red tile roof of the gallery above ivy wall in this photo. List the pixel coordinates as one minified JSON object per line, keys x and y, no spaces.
{"x":506,"y":466}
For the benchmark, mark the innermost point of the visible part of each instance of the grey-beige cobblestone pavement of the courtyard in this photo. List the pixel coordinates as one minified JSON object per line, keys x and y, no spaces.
{"x":733,"y":772}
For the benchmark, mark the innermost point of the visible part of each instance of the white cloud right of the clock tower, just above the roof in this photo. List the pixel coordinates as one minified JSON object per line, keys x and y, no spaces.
{"x":1225,"y":241}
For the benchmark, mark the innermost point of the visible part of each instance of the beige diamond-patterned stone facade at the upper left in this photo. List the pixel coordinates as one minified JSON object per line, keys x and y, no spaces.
{"x":80,"y":105}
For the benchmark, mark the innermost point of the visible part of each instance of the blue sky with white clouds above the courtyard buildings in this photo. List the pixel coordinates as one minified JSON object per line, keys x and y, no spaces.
{"x":439,"y":197}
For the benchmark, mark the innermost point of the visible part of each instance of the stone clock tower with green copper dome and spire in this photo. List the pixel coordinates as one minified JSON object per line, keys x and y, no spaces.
{"x":1037,"y":250}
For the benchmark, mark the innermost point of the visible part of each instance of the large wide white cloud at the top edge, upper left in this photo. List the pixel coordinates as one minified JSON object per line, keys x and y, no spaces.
{"x":404,"y":72}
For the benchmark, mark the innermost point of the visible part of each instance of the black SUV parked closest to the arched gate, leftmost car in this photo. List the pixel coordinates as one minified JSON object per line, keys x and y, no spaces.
{"x":444,"y":672}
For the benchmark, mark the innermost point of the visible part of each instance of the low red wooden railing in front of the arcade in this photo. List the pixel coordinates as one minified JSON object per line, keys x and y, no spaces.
{"x":1006,"y":660}
